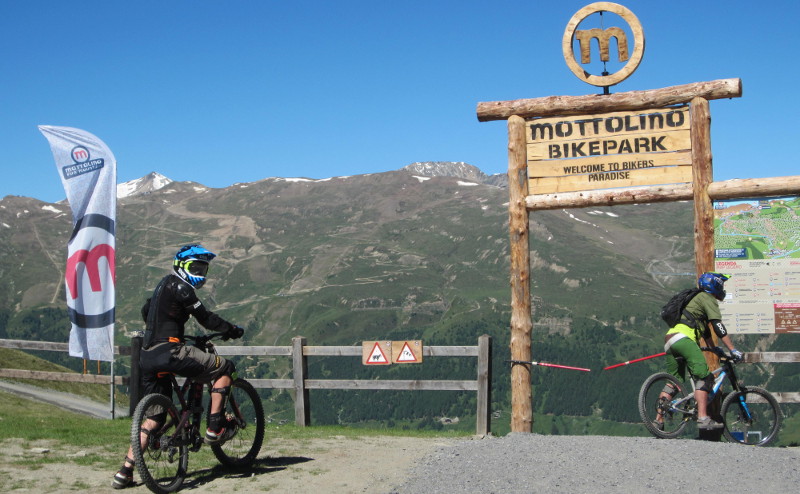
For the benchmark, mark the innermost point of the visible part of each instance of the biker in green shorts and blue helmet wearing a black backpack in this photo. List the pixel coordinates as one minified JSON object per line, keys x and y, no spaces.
{"x":683,"y":340}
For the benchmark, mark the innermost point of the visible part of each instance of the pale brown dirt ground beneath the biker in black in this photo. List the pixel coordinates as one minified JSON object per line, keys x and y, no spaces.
{"x":334,"y":465}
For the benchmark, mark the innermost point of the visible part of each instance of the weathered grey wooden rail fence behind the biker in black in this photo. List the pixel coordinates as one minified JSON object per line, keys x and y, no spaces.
{"x":300,"y":381}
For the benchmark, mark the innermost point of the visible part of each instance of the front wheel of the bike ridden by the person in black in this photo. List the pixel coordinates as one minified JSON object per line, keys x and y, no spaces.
{"x":245,"y":414}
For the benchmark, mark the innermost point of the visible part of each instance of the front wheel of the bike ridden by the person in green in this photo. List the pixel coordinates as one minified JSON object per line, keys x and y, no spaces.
{"x":752,"y":416}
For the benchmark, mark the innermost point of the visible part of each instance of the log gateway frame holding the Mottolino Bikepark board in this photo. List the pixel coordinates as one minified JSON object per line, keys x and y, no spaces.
{"x":603,"y":150}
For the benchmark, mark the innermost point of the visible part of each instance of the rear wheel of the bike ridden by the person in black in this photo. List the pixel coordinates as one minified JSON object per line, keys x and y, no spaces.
{"x":163,"y":462}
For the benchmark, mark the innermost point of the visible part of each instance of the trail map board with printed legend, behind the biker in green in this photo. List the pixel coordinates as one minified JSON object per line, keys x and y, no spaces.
{"x":758,"y":242}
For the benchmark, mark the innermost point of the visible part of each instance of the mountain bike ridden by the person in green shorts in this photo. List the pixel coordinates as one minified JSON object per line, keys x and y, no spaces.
{"x":750,"y":414}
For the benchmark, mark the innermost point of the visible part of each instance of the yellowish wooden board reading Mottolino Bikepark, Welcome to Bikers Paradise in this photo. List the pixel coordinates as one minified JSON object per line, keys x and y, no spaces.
{"x":612,"y":150}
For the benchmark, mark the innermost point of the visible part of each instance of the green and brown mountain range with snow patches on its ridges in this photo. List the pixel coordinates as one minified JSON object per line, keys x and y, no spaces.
{"x":418,"y":253}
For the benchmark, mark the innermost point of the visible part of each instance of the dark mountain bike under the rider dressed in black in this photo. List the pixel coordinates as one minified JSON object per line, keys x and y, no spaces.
{"x":162,"y":455}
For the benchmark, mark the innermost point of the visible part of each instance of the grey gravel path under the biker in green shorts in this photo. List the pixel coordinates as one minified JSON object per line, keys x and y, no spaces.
{"x":532,"y":463}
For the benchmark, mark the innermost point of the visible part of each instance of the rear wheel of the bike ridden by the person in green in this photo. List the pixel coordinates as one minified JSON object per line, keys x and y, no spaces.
{"x":660,"y":419}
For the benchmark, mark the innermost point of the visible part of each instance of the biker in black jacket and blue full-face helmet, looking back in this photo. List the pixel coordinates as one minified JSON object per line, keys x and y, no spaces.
{"x":163,"y":349}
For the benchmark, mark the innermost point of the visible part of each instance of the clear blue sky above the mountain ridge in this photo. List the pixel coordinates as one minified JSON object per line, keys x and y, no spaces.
{"x":221,"y":92}
